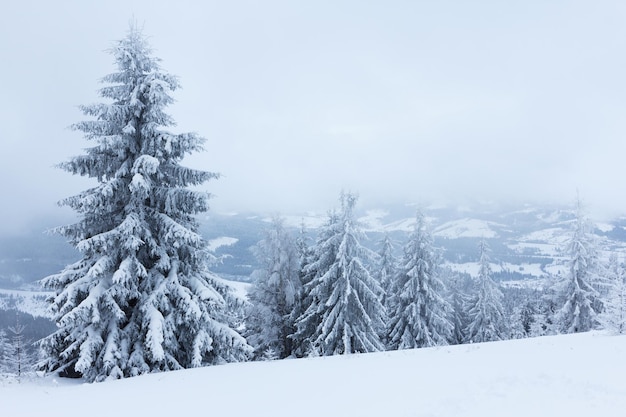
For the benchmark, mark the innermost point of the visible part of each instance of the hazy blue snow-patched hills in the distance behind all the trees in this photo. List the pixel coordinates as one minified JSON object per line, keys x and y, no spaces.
{"x":527,"y":242}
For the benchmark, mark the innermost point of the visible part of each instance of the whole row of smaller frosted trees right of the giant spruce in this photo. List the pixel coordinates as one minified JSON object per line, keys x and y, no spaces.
{"x":334,"y":296}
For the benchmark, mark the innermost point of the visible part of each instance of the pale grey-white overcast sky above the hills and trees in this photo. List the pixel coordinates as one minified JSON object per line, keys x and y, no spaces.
{"x":400,"y":101}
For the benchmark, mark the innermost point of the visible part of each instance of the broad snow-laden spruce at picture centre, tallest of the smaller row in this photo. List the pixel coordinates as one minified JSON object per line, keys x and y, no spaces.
{"x":344,"y":314}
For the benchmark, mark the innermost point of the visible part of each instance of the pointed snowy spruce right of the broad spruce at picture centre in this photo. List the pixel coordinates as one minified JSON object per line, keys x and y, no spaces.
{"x":419,"y":314}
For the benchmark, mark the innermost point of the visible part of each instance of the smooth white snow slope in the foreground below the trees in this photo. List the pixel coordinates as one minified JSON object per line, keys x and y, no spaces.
{"x":573,"y":375}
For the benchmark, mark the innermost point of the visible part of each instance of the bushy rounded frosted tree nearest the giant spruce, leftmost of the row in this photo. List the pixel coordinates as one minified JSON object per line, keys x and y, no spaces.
{"x":273,"y":294}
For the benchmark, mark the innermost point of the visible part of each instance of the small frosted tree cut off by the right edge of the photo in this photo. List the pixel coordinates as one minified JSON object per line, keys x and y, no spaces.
{"x":613,"y":318}
